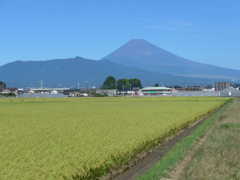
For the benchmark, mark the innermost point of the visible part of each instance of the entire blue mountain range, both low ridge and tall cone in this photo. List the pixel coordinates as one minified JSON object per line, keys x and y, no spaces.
{"x":136,"y":59}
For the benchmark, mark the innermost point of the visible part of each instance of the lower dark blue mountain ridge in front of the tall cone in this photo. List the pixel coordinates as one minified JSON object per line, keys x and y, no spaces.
{"x":70,"y":72}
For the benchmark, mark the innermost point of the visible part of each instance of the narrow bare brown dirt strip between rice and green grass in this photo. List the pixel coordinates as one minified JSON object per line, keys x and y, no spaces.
{"x":140,"y":167}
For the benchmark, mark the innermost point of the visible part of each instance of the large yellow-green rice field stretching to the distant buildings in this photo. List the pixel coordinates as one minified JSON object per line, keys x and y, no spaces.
{"x":85,"y":137}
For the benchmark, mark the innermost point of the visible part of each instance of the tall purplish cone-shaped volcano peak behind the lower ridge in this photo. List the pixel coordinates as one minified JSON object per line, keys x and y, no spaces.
{"x":144,"y":55}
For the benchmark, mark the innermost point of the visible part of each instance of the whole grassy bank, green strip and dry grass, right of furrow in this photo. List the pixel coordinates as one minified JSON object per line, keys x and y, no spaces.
{"x":217,"y":158}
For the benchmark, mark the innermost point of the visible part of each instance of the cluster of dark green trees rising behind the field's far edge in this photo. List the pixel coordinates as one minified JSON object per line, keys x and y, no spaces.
{"x":121,"y":84}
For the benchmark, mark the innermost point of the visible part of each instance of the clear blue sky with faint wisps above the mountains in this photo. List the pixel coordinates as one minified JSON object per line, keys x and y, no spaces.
{"x":206,"y":31}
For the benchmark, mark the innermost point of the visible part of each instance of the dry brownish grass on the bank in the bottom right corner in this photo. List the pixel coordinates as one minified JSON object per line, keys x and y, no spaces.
{"x":219,"y":156}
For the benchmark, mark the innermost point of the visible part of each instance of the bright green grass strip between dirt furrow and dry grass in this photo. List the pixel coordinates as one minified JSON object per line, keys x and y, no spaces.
{"x":159,"y":170}
